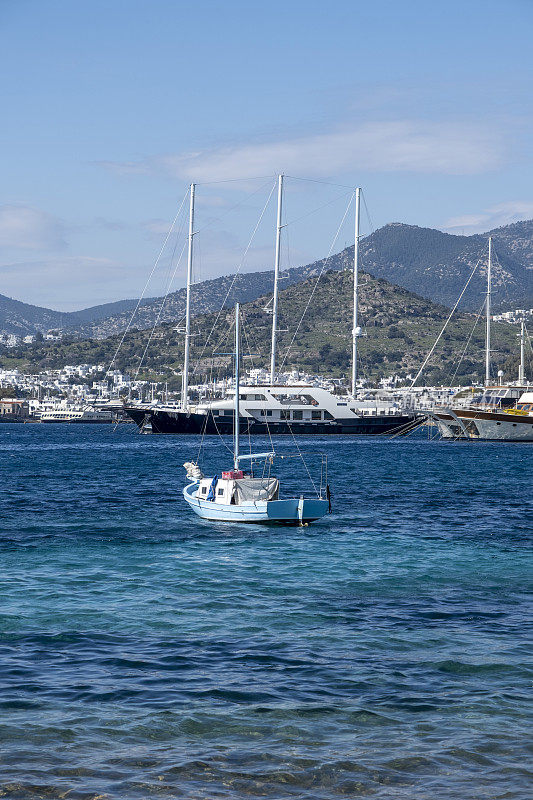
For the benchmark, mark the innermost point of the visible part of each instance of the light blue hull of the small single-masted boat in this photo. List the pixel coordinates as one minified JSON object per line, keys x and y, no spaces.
{"x":281,"y":512}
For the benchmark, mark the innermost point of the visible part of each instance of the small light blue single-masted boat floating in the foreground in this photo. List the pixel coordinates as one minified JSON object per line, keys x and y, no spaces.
{"x":240,"y":497}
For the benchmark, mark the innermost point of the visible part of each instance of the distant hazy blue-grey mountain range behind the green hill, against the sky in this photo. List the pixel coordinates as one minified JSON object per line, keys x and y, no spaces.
{"x":434,"y":264}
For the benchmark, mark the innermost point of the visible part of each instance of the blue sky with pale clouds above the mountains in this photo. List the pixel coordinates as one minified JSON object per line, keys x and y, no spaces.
{"x":111,"y":107}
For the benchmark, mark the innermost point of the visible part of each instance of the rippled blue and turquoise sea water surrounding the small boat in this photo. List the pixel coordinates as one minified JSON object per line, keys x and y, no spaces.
{"x":383,"y":652}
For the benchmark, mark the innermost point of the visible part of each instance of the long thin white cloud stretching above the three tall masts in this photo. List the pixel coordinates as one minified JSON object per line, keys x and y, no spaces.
{"x":407,"y":146}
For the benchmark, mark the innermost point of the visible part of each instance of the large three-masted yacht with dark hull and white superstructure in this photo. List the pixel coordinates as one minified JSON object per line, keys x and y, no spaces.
{"x":282,"y":409}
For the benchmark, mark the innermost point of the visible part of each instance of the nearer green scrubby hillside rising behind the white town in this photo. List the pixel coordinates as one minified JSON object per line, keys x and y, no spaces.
{"x":400,"y":329}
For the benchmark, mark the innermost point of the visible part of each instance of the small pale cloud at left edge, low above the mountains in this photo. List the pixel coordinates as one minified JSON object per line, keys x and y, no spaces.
{"x":26,"y":228}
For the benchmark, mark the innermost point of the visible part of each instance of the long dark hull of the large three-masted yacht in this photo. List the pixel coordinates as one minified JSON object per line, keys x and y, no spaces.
{"x":179,"y":422}
